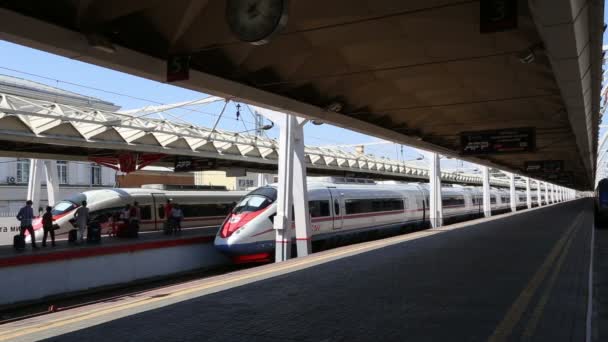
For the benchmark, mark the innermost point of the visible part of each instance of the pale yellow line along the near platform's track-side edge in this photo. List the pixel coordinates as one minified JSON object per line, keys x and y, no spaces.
{"x":313,"y":259}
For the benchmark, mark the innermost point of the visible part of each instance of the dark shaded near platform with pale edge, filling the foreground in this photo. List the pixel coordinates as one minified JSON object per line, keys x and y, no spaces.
{"x":513,"y":277}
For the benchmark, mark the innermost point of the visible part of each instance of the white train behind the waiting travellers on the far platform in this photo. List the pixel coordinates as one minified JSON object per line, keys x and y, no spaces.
{"x":200,"y":208}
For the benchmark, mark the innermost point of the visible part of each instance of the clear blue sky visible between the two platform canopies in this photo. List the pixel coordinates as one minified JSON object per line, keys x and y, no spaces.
{"x":16,"y":60}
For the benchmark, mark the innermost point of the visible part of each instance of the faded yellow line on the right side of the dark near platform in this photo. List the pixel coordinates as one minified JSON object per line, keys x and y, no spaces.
{"x":504,"y":329}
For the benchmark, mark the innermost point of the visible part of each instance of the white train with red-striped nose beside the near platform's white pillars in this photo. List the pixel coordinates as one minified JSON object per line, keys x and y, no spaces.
{"x":342,"y":207}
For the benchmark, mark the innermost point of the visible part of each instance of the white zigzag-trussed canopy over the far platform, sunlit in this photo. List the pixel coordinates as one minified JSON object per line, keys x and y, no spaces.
{"x":39,"y":128}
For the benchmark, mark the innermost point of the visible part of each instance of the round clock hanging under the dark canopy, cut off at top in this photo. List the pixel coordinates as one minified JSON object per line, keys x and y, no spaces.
{"x":255,"y":21}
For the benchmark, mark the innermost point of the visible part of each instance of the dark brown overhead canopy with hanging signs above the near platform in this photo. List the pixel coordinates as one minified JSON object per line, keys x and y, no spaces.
{"x":417,"y":72}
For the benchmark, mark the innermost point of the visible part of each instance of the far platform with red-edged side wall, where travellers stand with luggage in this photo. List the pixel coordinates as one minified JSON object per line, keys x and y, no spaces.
{"x":68,"y":269}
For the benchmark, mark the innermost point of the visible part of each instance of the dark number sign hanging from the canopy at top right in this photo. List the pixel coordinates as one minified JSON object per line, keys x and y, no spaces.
{"x":497,"y":15}
